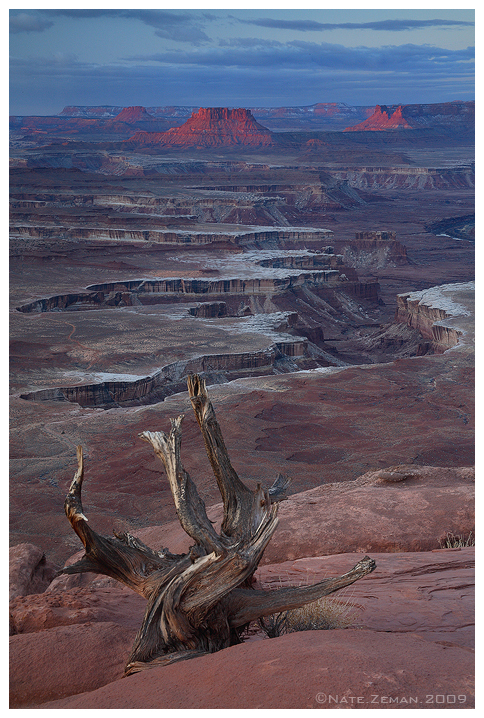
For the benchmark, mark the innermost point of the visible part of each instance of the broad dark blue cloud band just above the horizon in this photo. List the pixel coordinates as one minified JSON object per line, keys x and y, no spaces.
{"x":61,"y":80}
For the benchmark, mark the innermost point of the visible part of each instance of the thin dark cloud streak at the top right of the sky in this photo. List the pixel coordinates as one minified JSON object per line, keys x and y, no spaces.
{"x":385,"y":25}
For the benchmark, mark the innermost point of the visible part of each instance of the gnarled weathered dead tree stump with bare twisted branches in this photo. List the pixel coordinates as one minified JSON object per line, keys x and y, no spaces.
{"x":201,"y":601}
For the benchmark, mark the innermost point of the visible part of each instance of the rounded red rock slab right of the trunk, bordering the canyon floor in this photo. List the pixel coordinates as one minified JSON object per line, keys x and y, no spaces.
{"x":401,"y":508}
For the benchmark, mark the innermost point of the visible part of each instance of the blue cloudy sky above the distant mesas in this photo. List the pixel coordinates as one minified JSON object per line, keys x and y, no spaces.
{"x":246,"y":57}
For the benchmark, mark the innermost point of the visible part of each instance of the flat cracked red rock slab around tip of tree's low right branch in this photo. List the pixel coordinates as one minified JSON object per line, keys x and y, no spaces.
{"x":428,"y":593}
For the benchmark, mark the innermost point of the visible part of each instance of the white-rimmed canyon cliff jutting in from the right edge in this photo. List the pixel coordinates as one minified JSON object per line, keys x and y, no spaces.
{"x":438,"y":314}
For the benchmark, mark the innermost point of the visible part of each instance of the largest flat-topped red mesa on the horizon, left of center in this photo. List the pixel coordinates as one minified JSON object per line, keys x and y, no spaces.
{"x":211,"y":127}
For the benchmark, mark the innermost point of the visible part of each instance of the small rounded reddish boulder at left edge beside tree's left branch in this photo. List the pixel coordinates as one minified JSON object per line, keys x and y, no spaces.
{"x":29,"y":570}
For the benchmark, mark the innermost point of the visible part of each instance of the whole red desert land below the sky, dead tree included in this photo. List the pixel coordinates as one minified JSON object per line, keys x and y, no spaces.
{"x":300,"y":280}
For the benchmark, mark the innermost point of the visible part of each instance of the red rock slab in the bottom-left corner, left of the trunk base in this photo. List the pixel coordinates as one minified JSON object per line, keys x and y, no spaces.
{"x":66,"y":660}
